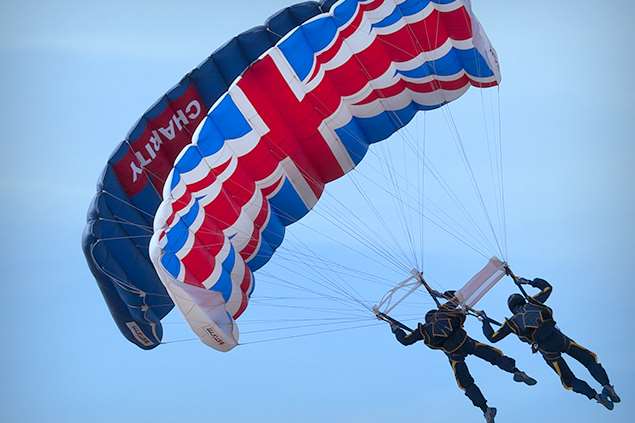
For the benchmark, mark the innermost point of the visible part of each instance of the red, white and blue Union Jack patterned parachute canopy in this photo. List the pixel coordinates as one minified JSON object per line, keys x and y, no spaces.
{"x":302,"y":115}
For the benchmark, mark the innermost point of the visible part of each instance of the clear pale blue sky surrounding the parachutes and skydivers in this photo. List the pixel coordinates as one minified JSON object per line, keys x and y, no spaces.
{"x":76,"y":75}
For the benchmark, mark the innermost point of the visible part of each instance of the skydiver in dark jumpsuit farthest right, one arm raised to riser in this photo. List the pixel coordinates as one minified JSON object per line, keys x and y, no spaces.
{"x":533,"y":323}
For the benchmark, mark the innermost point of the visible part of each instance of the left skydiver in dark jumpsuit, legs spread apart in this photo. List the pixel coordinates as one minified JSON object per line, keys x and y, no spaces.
{"x":443,"y":330}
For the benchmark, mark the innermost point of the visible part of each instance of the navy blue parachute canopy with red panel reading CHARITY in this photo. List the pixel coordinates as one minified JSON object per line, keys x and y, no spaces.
{"x":117,"y":234}
